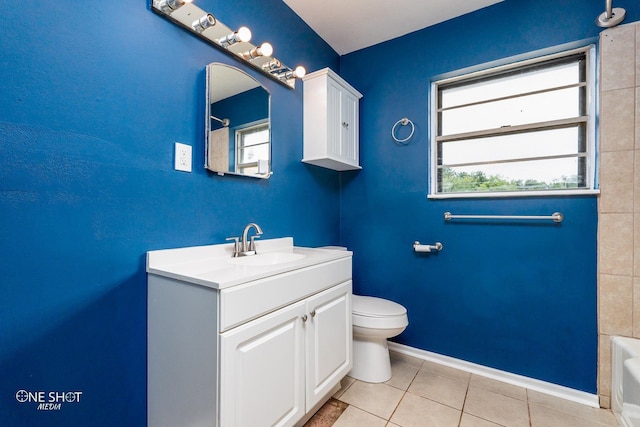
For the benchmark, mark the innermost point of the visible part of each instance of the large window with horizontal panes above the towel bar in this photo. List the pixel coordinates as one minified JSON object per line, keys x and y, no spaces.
{"x":522,"y":129}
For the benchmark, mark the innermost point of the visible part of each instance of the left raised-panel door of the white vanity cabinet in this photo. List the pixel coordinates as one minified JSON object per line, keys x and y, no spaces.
{"x":262,"y":371}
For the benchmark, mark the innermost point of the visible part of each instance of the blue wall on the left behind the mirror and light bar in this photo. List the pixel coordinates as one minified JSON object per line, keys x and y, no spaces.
{"x":94,"y":95}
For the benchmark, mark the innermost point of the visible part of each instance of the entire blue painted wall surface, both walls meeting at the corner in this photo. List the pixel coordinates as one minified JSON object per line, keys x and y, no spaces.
{"x":95,"y":93}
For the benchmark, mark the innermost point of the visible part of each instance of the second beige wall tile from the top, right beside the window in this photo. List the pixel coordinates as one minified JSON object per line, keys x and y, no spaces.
{"x":617,"y":119}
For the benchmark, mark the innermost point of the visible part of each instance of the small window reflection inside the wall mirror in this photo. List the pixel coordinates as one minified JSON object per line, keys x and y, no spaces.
{"x":252,"y":146}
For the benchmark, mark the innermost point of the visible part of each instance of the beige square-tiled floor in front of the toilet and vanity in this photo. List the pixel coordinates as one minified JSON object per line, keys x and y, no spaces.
{"x":426,"y":394}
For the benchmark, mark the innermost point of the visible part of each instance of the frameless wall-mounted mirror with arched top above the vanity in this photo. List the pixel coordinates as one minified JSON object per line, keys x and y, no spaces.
{"x":238,"y":132}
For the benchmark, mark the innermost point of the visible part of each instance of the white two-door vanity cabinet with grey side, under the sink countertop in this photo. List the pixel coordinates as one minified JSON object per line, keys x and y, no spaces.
{"x":263,"y":352}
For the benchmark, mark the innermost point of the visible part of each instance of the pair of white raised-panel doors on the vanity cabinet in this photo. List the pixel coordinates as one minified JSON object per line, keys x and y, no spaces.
{"x":276,"y":368}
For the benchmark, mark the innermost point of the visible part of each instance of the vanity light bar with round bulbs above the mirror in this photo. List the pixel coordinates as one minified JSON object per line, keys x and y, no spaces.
{"x":208,"y":28}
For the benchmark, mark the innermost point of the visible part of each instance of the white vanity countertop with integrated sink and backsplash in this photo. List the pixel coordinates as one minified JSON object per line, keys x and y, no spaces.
{"x":214,"y":267}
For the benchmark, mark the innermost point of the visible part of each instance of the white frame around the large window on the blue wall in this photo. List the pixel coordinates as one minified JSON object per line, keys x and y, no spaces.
{"x":508,"y":65}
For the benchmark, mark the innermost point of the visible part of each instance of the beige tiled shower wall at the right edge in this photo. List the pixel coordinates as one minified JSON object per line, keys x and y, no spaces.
{"x":619,"y":202}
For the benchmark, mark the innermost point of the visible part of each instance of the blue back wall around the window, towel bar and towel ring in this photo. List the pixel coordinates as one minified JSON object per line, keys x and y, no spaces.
{"x":515,"y":296}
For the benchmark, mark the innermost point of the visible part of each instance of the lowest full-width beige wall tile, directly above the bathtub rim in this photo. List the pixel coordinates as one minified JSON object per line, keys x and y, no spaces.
{"x":615,"y":304}
